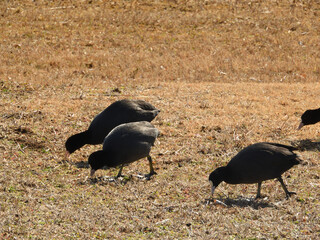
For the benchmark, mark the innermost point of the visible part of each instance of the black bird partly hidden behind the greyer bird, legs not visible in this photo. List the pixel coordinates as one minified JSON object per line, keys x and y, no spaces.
{"x":119,"y":112}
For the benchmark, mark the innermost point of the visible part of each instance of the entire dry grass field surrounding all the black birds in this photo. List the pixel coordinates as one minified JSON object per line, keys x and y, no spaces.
{"x":225,"y":74}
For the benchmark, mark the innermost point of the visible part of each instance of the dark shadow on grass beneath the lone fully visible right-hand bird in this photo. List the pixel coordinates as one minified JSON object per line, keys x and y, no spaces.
{"x":241,"y":202}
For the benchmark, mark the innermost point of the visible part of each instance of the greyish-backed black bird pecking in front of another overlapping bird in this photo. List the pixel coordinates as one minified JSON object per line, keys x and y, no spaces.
{"x":125,"y":144}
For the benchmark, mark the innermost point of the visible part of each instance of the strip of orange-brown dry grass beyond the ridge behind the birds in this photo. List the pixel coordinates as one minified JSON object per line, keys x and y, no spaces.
{"x":220,"y":41}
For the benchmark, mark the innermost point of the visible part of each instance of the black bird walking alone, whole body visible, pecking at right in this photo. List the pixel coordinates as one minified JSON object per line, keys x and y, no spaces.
{"x":256,"y":163}
